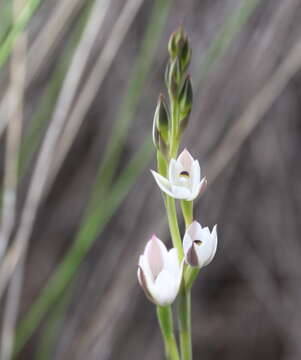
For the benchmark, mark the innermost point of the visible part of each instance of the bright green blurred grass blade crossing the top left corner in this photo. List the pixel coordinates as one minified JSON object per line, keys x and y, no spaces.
{"x":23,"y":19}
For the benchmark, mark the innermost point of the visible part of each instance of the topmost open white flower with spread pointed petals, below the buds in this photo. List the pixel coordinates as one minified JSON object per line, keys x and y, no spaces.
{"x":184,"y":178}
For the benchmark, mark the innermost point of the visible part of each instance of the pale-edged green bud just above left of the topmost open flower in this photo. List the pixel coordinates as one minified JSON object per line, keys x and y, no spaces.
{"x":161,"y":126}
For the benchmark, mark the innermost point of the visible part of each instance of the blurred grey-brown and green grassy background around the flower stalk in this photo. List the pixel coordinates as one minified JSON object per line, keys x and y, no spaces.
{"x":79,"y":80}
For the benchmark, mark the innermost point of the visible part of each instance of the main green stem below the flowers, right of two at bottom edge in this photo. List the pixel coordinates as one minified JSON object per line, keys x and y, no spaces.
{"x":184,"y":317}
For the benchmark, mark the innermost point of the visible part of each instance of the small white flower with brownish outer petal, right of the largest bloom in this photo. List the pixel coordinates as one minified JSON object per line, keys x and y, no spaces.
{"x":199,"y":245}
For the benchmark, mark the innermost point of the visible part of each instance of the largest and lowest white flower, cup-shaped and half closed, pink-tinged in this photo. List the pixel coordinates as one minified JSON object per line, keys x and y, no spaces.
{"x":159,"y":272}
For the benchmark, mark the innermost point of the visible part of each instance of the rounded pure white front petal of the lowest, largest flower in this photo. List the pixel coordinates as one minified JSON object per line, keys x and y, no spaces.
{"x":166,"y":288}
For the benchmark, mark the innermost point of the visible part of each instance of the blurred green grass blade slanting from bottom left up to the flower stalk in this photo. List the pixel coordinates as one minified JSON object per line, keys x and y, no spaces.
{"x":83,"y":242}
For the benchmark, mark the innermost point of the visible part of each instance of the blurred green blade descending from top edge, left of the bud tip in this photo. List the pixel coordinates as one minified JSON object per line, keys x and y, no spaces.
{"x":131,"y":100}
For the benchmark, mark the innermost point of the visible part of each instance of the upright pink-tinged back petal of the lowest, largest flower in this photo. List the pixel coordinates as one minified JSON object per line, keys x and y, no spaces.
{"x":154,"y":252}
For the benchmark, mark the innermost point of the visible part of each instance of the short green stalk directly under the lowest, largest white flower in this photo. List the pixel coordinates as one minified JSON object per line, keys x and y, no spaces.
{"x":164,"y":315}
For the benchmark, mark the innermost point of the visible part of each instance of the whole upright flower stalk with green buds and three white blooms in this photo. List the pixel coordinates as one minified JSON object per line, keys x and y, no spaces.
{"x":166,"y":275}
